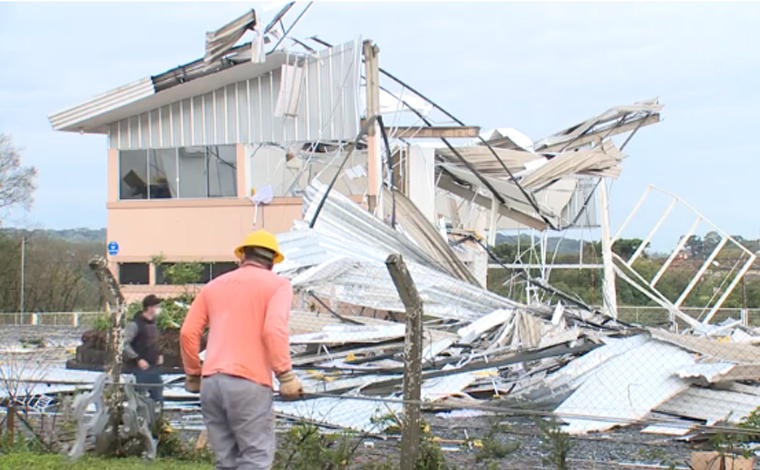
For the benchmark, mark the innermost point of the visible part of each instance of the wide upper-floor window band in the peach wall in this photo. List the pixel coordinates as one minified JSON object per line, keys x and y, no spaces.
{"x":186,"y":172}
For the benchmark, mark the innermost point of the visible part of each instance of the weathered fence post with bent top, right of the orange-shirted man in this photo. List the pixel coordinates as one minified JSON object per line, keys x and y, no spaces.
{"x":410,"y":438}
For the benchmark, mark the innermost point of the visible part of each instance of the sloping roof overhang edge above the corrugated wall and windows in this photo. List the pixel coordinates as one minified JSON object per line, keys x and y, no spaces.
{"x":94,"y":115}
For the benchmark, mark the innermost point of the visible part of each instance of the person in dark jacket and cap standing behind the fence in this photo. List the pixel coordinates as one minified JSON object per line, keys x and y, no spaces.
{"x":142,"y":350}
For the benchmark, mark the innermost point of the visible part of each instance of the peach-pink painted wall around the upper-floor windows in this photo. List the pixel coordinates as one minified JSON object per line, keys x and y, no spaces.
{"x":206,"y":230}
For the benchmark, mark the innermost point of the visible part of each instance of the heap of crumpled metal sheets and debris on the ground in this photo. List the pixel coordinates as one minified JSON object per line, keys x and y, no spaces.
{"x":596,"y":373}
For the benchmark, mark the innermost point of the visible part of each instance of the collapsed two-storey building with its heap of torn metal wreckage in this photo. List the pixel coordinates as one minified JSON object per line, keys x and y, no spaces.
{"x":348,"y":165}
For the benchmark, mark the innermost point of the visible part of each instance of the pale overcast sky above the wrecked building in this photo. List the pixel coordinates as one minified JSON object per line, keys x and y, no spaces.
{"x":537,"y":67}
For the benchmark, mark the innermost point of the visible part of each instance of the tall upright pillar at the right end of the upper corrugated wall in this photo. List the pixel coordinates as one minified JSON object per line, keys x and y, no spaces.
{"x":375,"y":159}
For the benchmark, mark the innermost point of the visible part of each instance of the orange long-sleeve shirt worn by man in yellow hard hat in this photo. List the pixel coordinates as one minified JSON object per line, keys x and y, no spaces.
{"x":247,"y":313}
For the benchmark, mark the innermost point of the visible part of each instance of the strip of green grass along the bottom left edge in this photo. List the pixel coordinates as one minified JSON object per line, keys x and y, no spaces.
{"x":59,"y":462}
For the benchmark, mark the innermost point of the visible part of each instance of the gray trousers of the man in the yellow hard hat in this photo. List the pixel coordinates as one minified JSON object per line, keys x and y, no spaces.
{"x":240,"y":422}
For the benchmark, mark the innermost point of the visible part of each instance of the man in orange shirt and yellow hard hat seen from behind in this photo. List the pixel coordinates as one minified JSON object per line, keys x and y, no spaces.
{"x":246,"y":312}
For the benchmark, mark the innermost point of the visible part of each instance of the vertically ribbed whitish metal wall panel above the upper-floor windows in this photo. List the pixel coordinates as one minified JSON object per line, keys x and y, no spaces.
{"x":243,"y":112}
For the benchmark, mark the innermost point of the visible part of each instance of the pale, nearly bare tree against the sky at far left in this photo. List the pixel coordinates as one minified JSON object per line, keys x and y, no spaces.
{"x":17,"y":183}
